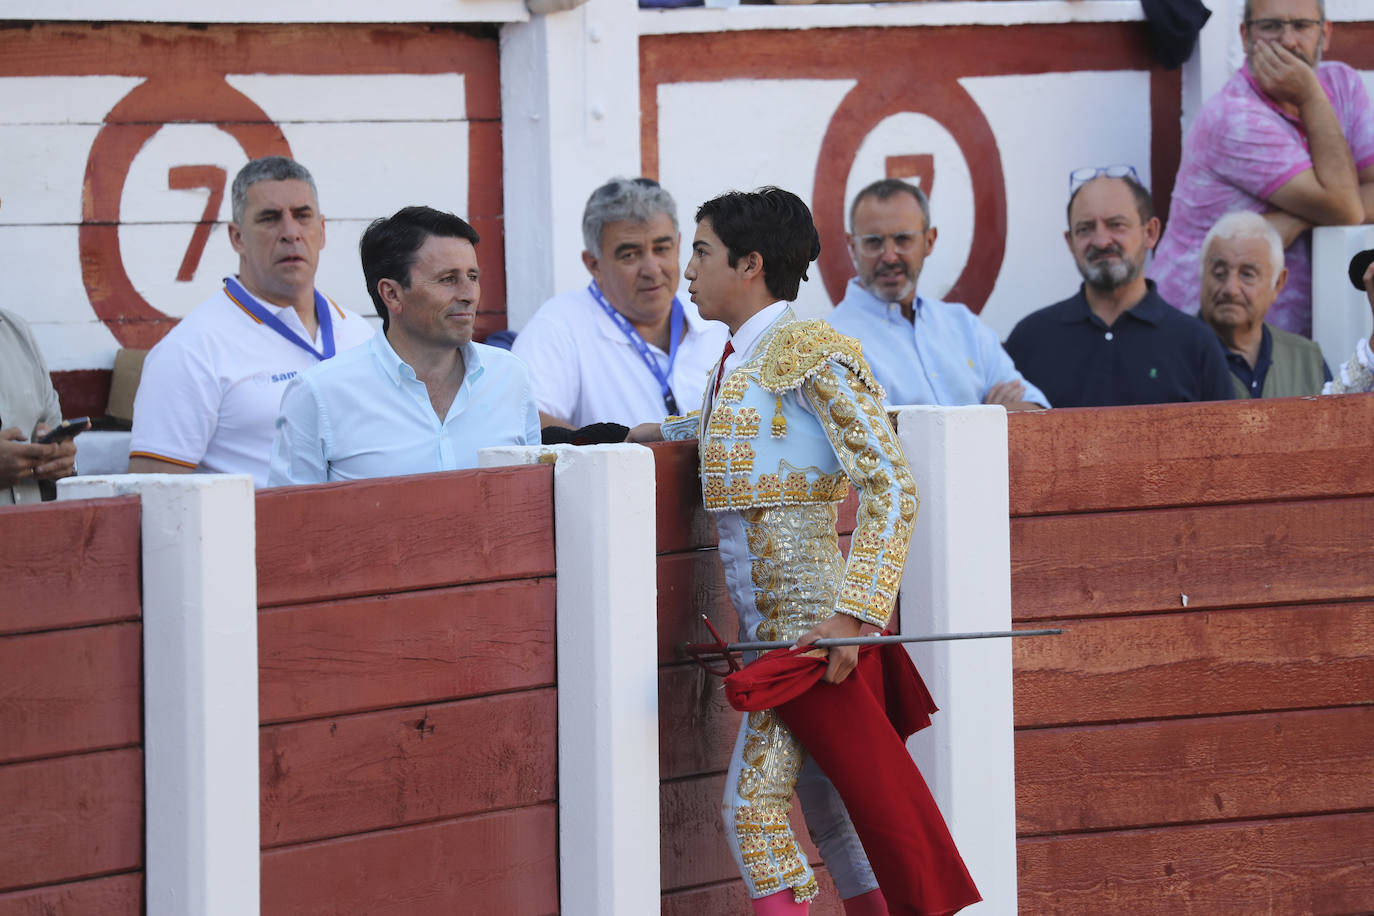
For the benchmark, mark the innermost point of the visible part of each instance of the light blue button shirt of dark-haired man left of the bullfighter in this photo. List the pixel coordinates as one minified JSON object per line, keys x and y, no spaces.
{"x":365,"y":414}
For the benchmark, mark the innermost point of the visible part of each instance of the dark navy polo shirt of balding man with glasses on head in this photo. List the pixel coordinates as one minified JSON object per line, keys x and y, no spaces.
{"x":1152,"y":355}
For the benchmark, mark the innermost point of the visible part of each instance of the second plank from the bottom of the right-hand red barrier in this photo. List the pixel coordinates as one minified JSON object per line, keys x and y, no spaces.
{"x":1199,"y":770}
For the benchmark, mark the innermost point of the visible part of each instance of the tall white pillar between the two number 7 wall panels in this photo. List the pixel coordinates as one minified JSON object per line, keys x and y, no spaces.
{"x":570,"y":122}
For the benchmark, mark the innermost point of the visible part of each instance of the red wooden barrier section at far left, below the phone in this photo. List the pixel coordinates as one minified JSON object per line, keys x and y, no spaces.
{"x":71,"y":726}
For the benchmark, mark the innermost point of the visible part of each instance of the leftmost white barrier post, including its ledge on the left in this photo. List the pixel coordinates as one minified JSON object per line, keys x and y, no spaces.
{"x":200,"y":689}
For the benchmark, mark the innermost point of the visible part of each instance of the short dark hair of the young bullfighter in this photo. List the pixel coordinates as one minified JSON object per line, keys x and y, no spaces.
{"x":776,"y":225}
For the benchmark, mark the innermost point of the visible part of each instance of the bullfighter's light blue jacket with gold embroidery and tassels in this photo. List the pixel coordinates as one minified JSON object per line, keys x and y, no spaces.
{"x":796,"y":425}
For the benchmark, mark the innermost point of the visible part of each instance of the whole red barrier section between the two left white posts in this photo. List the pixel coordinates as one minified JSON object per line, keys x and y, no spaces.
{"x":409,"y":755}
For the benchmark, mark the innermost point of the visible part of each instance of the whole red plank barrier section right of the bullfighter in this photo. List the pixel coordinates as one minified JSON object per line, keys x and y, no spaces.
{"x":1197,"y":742}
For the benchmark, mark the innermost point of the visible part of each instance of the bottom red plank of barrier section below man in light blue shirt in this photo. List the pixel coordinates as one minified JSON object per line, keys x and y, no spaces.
{"x":505,"y":863}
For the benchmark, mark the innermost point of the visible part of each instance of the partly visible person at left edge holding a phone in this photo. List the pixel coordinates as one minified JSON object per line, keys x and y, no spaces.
{"x":28,"y":409}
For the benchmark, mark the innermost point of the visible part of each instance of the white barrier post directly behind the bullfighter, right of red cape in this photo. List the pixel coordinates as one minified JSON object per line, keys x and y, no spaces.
{"x":958,"y":579}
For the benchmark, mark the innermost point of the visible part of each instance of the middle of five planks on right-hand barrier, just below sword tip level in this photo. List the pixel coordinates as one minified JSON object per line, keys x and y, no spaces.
{"x":1202,"y":664}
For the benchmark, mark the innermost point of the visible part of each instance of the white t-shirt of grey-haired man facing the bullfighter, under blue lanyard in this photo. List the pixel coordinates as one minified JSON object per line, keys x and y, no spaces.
{"x":585,"y":370}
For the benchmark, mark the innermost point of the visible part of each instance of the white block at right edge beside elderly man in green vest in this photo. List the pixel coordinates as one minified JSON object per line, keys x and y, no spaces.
{"x":1340,"y":312}
